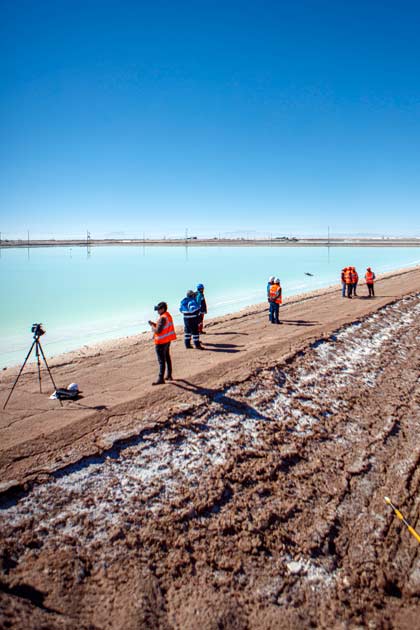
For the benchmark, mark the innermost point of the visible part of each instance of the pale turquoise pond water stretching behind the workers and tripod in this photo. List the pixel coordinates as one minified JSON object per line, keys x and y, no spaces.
{"x":86,"y":296}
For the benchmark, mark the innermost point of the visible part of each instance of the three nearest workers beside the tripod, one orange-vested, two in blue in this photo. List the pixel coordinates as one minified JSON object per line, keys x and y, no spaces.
{"x":193,"y":308}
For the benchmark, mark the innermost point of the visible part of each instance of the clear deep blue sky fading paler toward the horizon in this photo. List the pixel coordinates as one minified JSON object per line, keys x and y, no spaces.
{"x":284,"y":117}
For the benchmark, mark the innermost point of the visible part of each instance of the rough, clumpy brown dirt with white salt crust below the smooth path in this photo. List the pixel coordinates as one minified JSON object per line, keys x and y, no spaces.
{"x":268,"y":496}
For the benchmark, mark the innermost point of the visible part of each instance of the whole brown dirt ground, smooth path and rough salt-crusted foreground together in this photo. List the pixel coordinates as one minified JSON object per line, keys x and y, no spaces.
{"x":248,"y":493}
